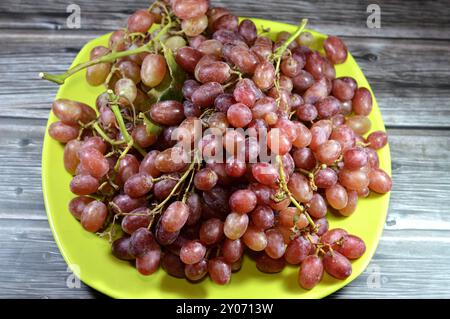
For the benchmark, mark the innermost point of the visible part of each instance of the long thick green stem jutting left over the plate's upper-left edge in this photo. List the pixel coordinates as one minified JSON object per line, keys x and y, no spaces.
{"x":108,"y":58}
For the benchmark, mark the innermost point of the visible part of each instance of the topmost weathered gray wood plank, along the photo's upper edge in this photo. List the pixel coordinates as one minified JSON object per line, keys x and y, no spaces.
{"x":414,"y":19}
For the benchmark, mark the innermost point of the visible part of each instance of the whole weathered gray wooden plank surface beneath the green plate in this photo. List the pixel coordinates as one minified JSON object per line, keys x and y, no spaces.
{"x":407,"y":62}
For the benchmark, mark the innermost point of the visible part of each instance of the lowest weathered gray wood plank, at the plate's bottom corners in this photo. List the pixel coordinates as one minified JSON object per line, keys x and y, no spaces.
{"x":33,"y":268}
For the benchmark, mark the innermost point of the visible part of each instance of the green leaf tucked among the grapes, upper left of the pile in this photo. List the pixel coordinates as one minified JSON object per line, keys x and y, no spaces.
{"x":170,"y":87}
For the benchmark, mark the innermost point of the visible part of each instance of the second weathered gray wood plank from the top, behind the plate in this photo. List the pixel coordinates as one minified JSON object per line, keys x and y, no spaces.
{"x":409,"y":77}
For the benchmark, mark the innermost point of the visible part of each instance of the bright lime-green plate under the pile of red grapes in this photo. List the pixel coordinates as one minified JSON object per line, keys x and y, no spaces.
{"x":91,"y":256}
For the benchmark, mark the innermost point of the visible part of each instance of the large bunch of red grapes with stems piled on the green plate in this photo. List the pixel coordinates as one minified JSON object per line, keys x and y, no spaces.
{"x":199,"y":216}
